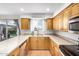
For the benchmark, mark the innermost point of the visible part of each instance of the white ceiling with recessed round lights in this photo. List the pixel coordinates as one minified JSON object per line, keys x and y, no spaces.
{"x":32,"y":9}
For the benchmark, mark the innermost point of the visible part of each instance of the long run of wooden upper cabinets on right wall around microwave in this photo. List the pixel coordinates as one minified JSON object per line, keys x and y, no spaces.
{"x":60,"y":21}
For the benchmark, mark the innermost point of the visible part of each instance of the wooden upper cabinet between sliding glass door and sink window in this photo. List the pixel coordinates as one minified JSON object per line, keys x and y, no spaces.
{"x":25,"y":23}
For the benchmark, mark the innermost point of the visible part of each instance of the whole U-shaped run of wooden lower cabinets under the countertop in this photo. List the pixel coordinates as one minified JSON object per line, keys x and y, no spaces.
{"x":37,"y":43}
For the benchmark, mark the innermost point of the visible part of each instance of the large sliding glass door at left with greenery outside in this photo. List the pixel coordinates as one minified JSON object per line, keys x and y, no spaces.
{"x":8,"y":29}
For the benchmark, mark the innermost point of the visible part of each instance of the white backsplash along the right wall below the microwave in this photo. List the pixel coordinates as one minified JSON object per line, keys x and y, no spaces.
{"x":68,"y":35}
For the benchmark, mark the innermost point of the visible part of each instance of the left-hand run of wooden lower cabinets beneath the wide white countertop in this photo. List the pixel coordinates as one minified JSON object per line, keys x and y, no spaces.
{"x":22,"y":50}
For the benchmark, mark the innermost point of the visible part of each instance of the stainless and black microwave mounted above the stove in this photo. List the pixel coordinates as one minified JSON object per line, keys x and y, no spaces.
{"x":74,"y":25}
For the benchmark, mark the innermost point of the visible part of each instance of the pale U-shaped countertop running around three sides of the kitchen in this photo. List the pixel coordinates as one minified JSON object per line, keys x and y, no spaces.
{"x":9,"y":45}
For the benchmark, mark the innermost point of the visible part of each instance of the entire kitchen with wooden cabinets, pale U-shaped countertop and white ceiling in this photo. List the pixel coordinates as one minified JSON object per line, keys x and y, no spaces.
{"x":47,"y":30}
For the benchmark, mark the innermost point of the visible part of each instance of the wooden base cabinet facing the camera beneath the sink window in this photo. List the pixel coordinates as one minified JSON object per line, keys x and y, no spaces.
{"x":39,"y":43}
